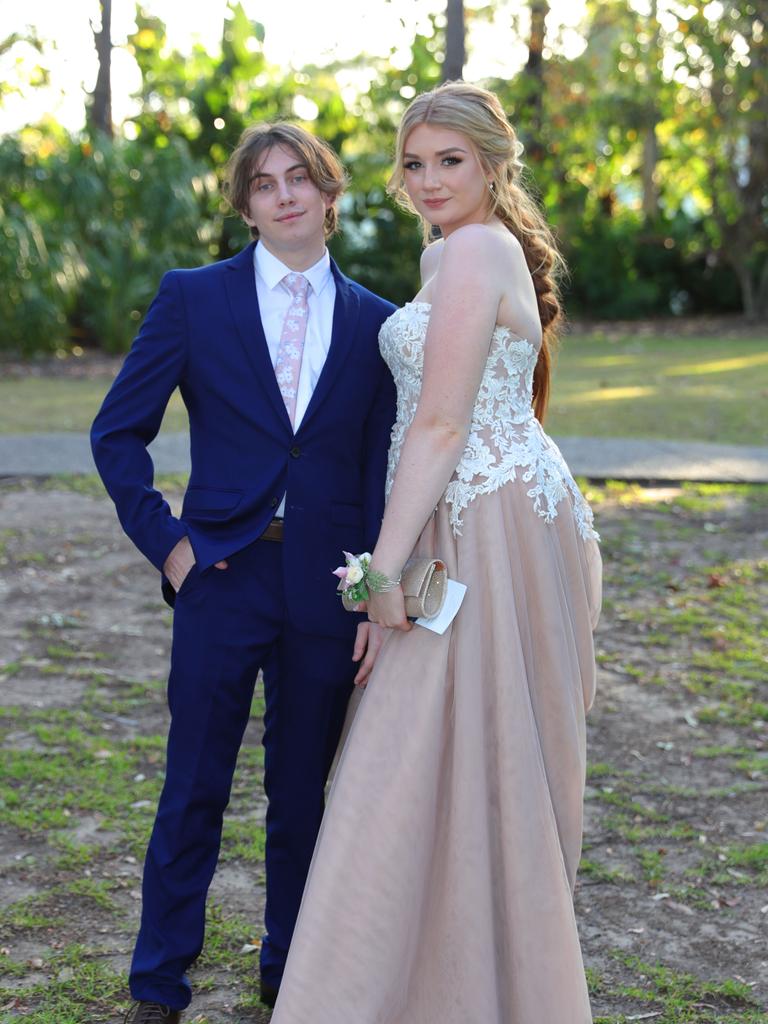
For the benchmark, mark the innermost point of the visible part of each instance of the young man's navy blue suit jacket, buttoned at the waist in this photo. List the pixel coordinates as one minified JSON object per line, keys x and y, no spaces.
{"x":203,"y":333}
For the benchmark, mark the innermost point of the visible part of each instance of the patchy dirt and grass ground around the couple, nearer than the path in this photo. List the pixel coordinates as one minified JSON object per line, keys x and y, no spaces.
{"x":672,"y":899}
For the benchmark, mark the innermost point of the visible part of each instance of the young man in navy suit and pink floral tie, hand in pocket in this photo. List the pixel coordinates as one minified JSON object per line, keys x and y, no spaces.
{"x":276,"y":355}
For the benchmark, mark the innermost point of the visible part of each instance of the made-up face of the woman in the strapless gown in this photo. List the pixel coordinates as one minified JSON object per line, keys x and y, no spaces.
{"x":445,"y":180}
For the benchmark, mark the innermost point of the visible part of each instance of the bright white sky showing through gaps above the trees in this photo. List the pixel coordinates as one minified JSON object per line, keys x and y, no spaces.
{"x":301,"y":33}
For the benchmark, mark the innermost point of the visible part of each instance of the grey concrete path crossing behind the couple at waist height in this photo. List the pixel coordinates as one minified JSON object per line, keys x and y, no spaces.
{"x":596,"y":458}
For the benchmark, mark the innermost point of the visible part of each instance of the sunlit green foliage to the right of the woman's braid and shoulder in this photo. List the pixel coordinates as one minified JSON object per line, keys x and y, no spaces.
{"x":602,"y":111}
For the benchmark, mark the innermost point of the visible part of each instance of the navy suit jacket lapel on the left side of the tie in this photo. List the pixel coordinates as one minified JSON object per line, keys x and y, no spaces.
{"x":240,"y":282}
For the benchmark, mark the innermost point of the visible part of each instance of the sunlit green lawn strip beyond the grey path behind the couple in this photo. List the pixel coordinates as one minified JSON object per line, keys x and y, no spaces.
{"x":708,"y":390}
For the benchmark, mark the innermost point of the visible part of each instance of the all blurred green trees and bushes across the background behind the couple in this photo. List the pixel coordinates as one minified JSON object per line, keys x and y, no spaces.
{"x":647,"y":150}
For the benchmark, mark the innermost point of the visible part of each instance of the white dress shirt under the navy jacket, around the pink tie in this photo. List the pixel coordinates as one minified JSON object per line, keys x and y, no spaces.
{"x":275,"y":300}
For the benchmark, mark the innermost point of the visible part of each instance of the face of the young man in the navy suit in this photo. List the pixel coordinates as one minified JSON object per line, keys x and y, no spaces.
{"x":286,"y":206}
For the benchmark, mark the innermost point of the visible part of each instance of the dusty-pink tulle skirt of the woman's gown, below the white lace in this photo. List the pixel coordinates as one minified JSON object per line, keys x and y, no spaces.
{"x":441,"y":891}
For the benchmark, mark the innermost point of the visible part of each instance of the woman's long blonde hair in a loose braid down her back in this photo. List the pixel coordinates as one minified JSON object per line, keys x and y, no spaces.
{"x":479,"y":115}
